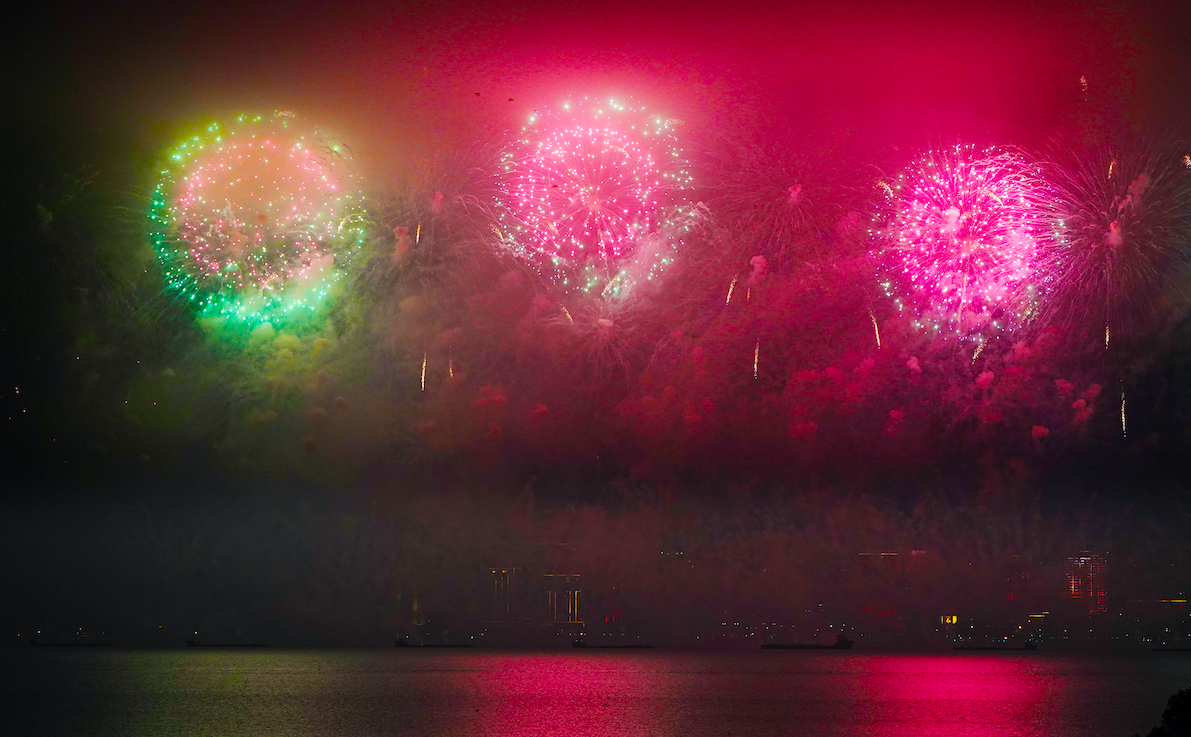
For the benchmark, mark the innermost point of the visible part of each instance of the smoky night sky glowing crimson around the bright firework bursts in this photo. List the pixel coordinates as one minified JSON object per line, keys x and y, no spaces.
{"x":301,"y":486}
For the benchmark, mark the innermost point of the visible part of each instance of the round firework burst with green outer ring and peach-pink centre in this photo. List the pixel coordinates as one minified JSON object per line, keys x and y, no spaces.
{"x":251,"y":218}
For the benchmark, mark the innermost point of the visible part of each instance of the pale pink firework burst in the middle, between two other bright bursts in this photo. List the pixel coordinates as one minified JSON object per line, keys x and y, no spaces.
{"x":585,"y":185}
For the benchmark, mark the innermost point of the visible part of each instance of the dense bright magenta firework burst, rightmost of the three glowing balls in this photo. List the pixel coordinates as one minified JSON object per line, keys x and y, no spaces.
{"x":963,"y":239}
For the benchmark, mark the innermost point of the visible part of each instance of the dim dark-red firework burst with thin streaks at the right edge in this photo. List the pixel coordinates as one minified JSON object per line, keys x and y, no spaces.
{"x":1125,"y":245}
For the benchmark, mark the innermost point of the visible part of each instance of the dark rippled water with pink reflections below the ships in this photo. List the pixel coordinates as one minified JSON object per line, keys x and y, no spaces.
{"x":695,"y":695}
